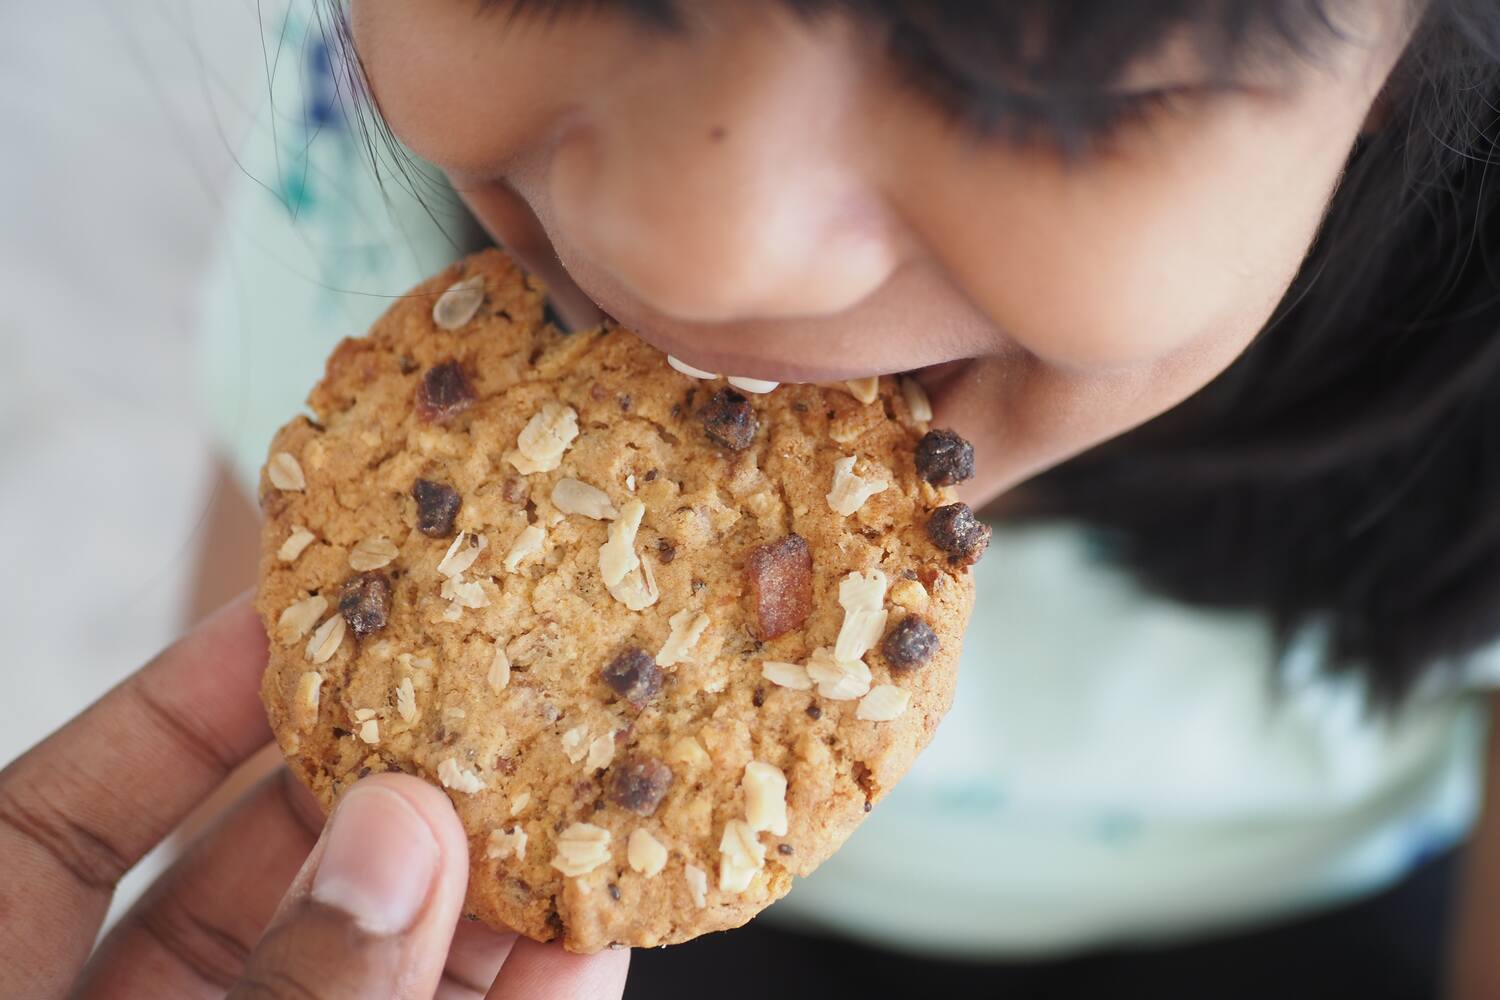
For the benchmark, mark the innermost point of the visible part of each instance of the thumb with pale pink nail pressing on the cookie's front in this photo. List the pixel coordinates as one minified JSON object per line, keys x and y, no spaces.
{"x":373,"y":911}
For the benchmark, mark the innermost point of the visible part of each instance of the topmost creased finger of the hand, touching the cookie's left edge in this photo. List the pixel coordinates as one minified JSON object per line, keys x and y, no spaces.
{"x":79,"y":810}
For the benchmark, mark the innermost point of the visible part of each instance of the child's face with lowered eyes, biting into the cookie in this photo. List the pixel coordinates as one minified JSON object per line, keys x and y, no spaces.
{"x":770,"y":197}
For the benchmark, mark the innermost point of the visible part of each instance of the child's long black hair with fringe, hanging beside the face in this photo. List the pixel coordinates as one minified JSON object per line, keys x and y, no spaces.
{"x":1345,"y":472}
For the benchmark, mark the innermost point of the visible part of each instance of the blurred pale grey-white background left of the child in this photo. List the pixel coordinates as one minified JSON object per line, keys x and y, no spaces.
{"x":124,"y":121}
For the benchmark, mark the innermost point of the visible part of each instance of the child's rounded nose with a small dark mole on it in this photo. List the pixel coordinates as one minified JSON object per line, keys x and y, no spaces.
{"x":728,"y":187}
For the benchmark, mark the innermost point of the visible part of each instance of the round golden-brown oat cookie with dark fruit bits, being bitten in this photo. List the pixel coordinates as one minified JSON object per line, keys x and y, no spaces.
{"x":662,"y":642}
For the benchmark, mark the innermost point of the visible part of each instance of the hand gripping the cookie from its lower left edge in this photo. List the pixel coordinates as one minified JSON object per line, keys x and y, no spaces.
{"x":370,"y":912}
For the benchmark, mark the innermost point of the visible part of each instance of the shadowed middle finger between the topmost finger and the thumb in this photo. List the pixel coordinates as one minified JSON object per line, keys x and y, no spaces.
{"x":193,"y":932}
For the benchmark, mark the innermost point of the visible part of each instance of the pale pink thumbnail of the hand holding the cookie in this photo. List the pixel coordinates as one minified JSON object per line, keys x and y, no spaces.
{"x":379,"y":863}
